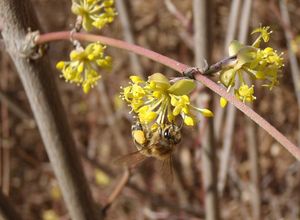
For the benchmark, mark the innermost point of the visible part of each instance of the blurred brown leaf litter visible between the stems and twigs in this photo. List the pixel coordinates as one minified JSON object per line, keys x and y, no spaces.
{"x":98,"y":133}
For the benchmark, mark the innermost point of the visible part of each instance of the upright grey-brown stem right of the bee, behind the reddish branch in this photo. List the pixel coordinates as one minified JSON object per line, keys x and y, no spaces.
{"x":202,"y":37}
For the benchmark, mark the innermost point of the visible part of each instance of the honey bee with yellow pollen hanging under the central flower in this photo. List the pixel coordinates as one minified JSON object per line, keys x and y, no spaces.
{"x":158,"y":143}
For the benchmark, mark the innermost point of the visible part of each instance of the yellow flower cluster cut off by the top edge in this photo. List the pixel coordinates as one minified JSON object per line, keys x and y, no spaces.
{"x":95,"y":13}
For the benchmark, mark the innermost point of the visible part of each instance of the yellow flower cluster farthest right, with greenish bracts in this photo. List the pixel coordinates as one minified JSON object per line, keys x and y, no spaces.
{"x":259,"y":64}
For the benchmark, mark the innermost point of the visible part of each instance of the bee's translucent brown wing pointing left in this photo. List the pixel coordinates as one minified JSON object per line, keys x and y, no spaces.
{"x":131,"y":160}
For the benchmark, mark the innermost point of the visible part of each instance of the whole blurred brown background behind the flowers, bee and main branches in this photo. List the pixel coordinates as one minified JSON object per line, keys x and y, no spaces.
{"x":257,"y":178}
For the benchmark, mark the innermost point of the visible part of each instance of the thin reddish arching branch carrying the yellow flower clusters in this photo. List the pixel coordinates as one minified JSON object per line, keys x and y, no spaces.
{"x":55,"y":36}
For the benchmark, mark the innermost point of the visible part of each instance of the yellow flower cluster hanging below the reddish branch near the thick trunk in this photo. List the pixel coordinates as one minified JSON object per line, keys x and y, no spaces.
{"x":83,"y":64}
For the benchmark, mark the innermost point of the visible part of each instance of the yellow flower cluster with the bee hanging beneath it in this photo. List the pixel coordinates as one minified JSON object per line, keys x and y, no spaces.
{"x":157,"y":101}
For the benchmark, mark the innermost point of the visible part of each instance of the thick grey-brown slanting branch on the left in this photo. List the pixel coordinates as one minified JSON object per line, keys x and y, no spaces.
{"x":39,"y":84}
